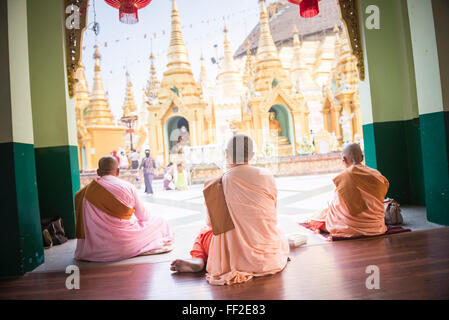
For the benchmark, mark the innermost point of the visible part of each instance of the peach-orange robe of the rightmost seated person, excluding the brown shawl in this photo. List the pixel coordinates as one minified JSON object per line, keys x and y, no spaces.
{"x":339,"y":222}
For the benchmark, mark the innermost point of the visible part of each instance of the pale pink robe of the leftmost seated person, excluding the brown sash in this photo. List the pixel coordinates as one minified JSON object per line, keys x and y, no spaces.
{"x":112,"y":239}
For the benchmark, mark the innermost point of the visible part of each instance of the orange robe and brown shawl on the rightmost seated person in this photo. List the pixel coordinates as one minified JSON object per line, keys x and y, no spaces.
{"x":357,"y":207}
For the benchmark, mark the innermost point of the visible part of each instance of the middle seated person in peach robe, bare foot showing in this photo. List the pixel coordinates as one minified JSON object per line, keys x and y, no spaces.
{"x":253,"y":246}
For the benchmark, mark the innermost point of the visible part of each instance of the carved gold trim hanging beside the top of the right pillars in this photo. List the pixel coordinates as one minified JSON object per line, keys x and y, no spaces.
{"x":350,"y":16}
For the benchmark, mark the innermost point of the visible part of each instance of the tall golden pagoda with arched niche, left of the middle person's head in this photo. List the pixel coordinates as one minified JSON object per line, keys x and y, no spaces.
{"x":180,"y":110}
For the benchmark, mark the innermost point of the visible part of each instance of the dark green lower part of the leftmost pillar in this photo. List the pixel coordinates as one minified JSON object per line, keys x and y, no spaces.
{"x":22,"y":249}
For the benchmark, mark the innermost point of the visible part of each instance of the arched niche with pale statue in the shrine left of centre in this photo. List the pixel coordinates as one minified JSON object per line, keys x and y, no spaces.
{"x":177,"y":135}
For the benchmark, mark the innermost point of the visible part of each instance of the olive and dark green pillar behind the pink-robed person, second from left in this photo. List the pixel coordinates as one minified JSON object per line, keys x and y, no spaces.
{"x":53,"y":112}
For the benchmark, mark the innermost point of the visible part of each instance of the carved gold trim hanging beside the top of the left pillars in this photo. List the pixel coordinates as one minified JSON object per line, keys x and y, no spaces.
{"x":73,"y":40}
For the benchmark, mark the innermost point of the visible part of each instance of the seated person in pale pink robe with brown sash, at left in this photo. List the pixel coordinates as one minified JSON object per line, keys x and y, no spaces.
{"x":112,"y":222}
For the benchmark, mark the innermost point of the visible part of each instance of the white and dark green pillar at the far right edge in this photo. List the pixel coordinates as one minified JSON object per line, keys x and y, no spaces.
{"x":429,"y":26}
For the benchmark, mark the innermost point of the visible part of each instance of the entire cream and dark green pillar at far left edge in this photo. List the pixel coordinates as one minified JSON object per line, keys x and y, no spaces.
{"x":21,"y":240}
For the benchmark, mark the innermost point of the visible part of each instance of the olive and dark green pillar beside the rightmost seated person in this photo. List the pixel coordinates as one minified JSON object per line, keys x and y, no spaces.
{"x":391,"y":124}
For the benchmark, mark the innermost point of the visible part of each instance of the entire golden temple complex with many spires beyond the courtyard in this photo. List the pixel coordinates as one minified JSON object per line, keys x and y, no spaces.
{"x":294,"y":92}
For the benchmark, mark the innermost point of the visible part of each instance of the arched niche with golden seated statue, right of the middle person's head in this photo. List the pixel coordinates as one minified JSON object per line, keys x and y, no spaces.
{"x":281,"y":128}
